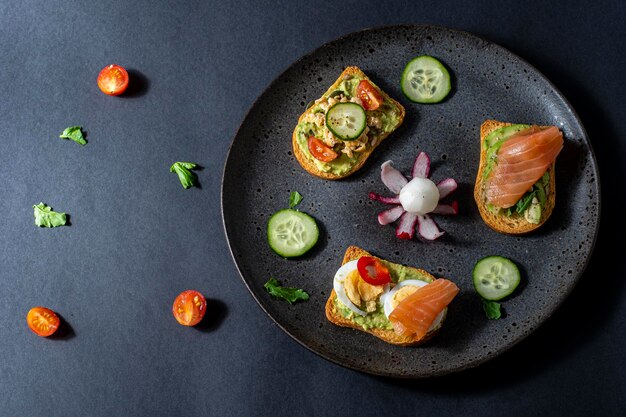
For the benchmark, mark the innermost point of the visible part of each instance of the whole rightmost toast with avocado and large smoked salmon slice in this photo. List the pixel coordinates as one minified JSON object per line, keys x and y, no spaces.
{"x":515,"y":187}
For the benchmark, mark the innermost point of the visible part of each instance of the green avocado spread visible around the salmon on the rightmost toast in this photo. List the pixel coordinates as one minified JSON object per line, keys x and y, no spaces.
{"x":531,"y":204}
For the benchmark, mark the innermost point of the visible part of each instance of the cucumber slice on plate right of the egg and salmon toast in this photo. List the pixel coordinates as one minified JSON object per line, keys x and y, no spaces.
{"x":495,"y":277}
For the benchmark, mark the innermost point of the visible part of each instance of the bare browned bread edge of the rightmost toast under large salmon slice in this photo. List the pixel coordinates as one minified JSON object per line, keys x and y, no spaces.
{"x":514,"y":225}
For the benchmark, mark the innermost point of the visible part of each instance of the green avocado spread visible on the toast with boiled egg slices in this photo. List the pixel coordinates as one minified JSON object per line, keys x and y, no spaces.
{"x":377,"y":318}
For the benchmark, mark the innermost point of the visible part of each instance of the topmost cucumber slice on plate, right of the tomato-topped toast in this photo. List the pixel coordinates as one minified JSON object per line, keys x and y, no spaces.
{"x":425,"y":80}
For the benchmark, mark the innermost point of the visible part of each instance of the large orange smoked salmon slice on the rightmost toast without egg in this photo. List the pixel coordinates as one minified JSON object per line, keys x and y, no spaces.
{"x":521,"y":162}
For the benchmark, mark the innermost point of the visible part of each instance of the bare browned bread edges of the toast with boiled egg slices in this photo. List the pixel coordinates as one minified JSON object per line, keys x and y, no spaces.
{"x":389,"y":336}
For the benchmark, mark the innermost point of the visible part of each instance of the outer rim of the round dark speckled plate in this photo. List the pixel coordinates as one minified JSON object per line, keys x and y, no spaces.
{"x":504,"y":347}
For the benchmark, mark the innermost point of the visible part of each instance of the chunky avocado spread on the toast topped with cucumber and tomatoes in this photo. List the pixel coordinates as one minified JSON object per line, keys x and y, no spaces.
{"x":387,"y":117}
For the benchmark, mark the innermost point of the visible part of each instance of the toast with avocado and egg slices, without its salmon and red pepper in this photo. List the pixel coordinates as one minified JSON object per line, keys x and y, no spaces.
{"x":367,"y":307}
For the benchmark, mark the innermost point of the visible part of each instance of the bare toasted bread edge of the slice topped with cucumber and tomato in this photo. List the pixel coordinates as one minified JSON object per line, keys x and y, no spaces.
{"x":306,"y":159}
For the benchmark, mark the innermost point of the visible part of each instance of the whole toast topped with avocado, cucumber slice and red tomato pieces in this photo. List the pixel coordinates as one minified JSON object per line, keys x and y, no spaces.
{"x":339,"y":131}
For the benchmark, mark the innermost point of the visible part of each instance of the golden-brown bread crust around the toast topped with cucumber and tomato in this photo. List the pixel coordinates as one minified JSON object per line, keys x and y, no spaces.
{"x":309,"y":165}
